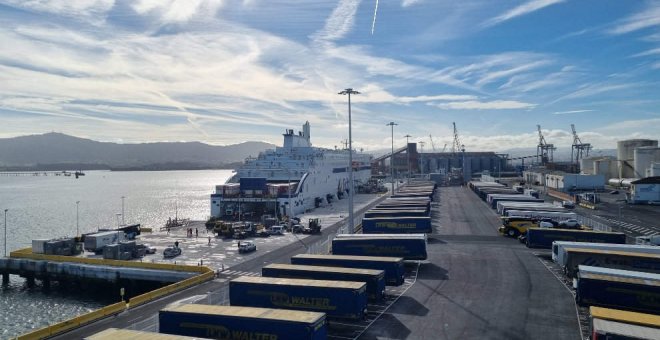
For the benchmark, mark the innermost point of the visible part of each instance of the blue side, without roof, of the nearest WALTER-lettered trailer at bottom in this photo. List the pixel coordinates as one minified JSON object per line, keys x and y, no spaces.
{"x":215,"y":326}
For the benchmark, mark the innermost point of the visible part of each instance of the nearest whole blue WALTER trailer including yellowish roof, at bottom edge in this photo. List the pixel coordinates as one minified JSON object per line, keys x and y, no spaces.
{"x":235,"y":322}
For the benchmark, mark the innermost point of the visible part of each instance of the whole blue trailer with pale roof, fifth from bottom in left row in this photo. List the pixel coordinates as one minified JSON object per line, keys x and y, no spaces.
{"x":407,"y":246}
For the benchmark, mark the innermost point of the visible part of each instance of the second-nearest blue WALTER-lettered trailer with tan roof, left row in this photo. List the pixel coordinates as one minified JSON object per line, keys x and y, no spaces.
{"x":338,"y":299}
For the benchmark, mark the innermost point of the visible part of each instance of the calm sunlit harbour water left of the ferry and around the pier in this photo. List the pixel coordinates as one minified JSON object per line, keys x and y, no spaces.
{"x":45,"y":207}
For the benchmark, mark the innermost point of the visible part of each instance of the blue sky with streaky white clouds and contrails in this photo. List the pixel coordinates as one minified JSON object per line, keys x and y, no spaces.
{"x":228,"y":71}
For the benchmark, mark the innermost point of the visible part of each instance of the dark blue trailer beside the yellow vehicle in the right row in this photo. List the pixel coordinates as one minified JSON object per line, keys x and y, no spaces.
{"x":543,"y":237}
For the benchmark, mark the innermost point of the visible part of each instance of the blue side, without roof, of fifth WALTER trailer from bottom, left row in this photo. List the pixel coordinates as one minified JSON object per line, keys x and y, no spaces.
{"x":408,"y":249}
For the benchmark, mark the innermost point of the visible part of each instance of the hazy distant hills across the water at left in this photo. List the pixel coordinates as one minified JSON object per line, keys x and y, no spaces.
{"x":56,"y":151}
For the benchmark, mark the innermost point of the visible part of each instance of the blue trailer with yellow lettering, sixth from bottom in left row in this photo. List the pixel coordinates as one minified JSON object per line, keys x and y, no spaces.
{"x":396,"y":225}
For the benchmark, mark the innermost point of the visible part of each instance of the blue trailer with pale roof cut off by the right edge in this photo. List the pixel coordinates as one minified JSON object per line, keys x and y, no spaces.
{"x":619,"y":289}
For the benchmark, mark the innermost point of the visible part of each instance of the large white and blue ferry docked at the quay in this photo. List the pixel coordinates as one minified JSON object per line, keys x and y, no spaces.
{"x":289,"y":180}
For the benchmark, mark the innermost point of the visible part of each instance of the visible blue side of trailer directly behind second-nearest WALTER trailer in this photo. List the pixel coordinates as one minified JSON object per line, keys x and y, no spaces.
{"x":375,"y":283}
